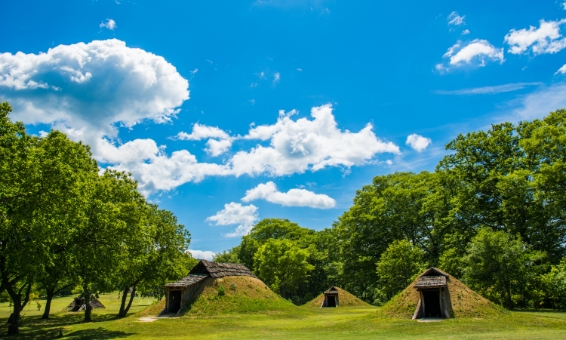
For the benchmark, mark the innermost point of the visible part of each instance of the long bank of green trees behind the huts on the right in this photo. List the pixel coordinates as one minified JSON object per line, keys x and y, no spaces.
{"x":491,"y":214}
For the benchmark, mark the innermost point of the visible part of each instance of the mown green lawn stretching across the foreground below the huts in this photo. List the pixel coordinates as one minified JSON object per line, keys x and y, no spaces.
{"x":290,"y":323}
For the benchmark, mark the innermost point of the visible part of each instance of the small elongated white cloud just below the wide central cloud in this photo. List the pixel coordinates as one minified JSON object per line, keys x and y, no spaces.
{"x":292,"y":198}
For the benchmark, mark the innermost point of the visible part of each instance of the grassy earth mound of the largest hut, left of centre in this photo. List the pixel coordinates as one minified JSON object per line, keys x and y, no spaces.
{"x":236,"y":294}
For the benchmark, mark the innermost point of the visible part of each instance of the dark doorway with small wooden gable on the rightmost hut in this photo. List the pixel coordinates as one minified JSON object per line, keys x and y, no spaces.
{"x":434,"y":299}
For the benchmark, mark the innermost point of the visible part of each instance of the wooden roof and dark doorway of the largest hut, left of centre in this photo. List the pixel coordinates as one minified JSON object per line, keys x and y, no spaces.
{"x":186,"y":290}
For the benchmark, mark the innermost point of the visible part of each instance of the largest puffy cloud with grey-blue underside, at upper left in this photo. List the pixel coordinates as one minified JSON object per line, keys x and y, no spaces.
{"x":91,"y":86}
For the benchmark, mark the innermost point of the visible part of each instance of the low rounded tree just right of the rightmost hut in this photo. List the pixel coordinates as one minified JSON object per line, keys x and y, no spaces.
{"x":500,"y":266}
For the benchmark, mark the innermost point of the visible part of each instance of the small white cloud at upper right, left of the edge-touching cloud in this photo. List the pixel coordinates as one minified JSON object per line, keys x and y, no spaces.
{"x":478,"y":53}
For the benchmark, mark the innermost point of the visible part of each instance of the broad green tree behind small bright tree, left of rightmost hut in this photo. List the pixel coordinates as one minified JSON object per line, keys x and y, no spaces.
{"x":394,"y":207}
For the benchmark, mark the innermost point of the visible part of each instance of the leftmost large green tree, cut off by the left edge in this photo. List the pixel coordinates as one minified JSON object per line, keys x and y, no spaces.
{"x":41,"y":185}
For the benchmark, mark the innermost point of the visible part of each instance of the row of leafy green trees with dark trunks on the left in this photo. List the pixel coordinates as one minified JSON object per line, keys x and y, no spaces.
{"x":64,"y":225}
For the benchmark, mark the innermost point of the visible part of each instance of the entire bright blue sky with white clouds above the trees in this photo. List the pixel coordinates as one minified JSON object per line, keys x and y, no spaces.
{"x":227,"y":112}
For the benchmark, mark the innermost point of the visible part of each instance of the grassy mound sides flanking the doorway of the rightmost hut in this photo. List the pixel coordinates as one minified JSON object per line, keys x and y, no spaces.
{"x":465,"y":302}
